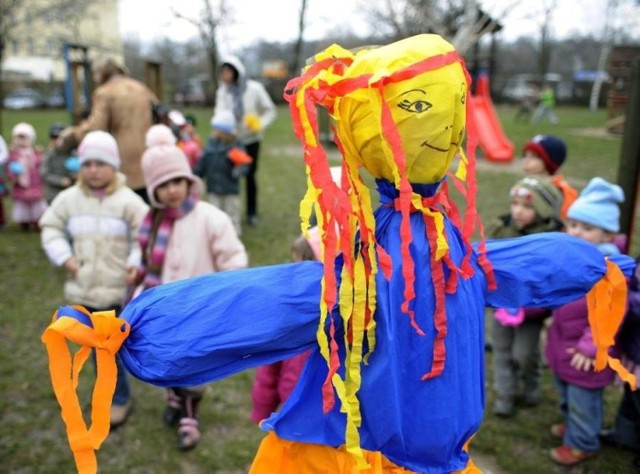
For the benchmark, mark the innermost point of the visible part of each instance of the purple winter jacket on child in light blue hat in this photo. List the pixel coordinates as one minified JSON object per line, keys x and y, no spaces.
{"x":570,"y":329}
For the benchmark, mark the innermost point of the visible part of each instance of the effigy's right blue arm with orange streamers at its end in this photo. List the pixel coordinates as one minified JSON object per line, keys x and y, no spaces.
{"x":551,"y":269}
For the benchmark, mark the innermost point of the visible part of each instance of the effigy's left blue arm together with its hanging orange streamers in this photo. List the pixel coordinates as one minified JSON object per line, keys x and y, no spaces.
{"x":181,"y":334}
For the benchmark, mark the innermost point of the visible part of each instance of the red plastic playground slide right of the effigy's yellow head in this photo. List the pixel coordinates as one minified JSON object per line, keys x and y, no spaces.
{"x":493,"y":142}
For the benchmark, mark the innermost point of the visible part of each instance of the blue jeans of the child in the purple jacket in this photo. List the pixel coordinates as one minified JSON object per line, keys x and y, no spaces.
{"x":583,"y":411}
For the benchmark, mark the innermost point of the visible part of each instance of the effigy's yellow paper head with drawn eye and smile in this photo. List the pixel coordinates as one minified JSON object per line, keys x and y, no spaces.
{"x":428,"y":110}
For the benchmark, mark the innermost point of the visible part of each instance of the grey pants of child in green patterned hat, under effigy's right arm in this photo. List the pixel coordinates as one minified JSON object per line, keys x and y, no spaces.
{"x":516,"y":358}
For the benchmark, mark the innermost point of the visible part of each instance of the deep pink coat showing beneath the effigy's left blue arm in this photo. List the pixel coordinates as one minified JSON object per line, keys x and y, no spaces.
{"x":273,"y":385}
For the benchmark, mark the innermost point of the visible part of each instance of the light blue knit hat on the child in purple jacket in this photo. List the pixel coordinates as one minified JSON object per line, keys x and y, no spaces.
{"x":597,"y":205}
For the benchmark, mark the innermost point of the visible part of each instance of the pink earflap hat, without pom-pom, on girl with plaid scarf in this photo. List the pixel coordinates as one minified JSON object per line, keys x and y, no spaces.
{"x":163,"y":163}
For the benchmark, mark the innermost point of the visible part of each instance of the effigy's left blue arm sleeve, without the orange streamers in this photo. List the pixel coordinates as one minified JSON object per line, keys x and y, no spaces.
{"x":205,"y":328}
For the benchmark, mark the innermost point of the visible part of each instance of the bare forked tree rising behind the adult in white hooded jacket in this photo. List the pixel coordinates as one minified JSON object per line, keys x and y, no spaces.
{"x":210,"y":20}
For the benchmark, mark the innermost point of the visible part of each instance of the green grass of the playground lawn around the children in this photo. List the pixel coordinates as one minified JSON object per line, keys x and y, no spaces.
{"x":32,"y":435}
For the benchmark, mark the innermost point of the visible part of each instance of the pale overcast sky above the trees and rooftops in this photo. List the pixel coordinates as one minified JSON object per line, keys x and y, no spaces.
{"x":277,"y":20}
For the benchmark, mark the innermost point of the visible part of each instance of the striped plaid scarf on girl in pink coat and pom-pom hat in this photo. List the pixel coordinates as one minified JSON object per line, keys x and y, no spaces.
{"x":154,"y":237}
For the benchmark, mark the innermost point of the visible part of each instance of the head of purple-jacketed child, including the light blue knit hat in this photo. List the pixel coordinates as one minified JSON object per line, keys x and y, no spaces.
{"x":595,"y":215}
